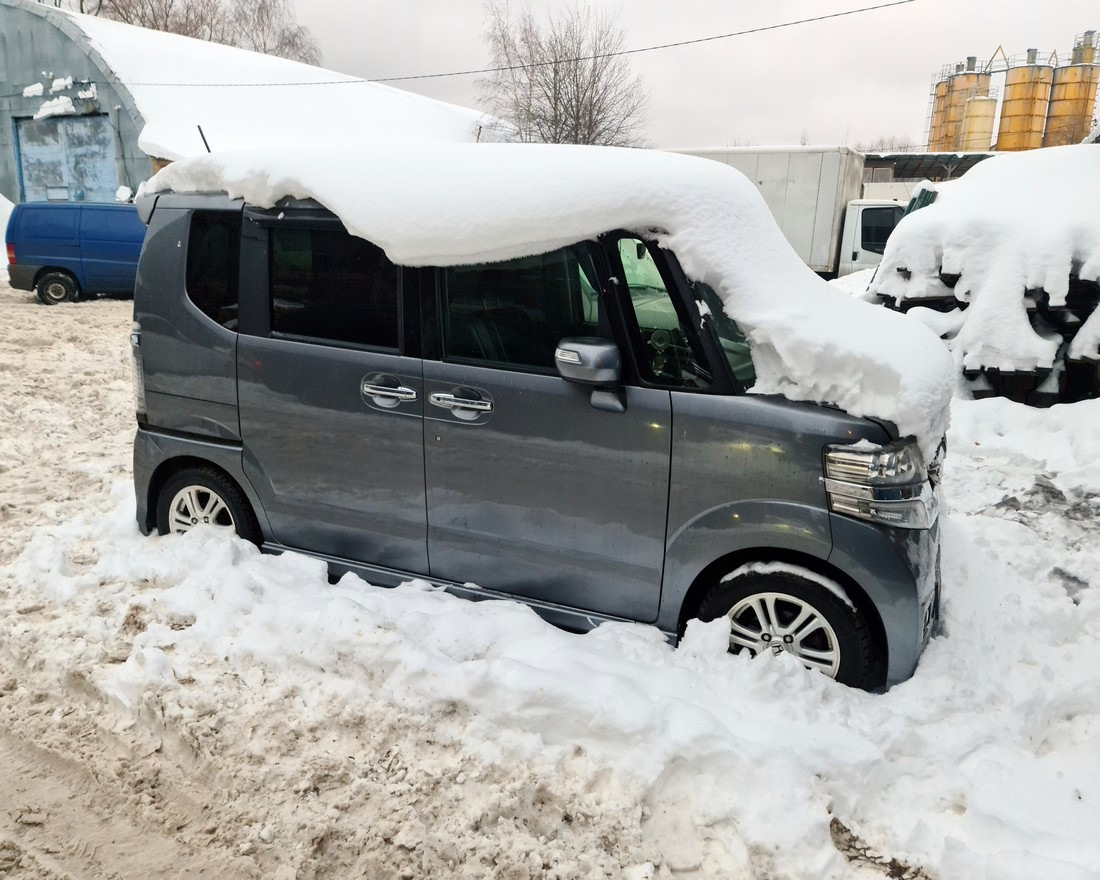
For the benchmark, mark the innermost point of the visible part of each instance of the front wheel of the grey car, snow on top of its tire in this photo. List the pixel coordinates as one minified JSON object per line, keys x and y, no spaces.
{"x":811,"y":622}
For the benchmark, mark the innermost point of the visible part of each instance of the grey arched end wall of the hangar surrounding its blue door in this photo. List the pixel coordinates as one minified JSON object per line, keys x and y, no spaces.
{"x":35,"y":38}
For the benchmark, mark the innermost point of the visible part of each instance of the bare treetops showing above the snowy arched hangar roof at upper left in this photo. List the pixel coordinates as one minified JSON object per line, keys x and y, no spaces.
{"x":260,"y":26}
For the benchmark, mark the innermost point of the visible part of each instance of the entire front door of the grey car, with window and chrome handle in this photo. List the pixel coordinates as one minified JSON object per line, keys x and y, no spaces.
{"x":537,"y":487}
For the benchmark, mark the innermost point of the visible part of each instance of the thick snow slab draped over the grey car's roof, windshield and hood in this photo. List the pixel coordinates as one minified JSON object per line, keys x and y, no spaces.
{"x":461,"y":204}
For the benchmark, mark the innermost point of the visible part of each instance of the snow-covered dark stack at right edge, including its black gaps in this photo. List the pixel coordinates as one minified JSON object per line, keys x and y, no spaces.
{"x":1005,"y":263}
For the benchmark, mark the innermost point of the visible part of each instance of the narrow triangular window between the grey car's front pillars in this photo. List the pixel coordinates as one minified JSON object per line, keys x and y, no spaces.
{"x":669,"y":354}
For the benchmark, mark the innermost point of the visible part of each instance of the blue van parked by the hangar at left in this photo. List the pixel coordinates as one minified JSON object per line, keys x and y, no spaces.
{"x":67,"y":251}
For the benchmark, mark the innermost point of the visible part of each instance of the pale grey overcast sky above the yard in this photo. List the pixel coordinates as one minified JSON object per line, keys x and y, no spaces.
{"x":841,"y":82}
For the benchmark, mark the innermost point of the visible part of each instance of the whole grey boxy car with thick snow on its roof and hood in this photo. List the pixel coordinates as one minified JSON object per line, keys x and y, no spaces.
{"x":598,"y":381}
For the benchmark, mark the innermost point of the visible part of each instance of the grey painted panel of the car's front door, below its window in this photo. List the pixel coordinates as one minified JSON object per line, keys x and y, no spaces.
{"x":548,"y":496}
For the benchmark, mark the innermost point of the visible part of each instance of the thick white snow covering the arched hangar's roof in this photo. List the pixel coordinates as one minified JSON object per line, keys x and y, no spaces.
{"x":245,"y":100}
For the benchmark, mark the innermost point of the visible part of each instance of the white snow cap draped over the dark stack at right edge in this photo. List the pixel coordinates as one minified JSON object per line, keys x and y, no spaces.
{"x":1015,"y":224}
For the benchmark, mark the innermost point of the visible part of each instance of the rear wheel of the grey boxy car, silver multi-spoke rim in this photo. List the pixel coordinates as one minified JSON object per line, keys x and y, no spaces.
{"x":204,"y":497}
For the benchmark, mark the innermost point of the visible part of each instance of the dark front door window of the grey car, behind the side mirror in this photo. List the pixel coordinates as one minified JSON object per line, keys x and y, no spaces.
{"x":514,"y":313}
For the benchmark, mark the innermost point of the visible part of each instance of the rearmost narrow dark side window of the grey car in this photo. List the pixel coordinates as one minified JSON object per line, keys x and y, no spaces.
{"x":214,"y":256}
